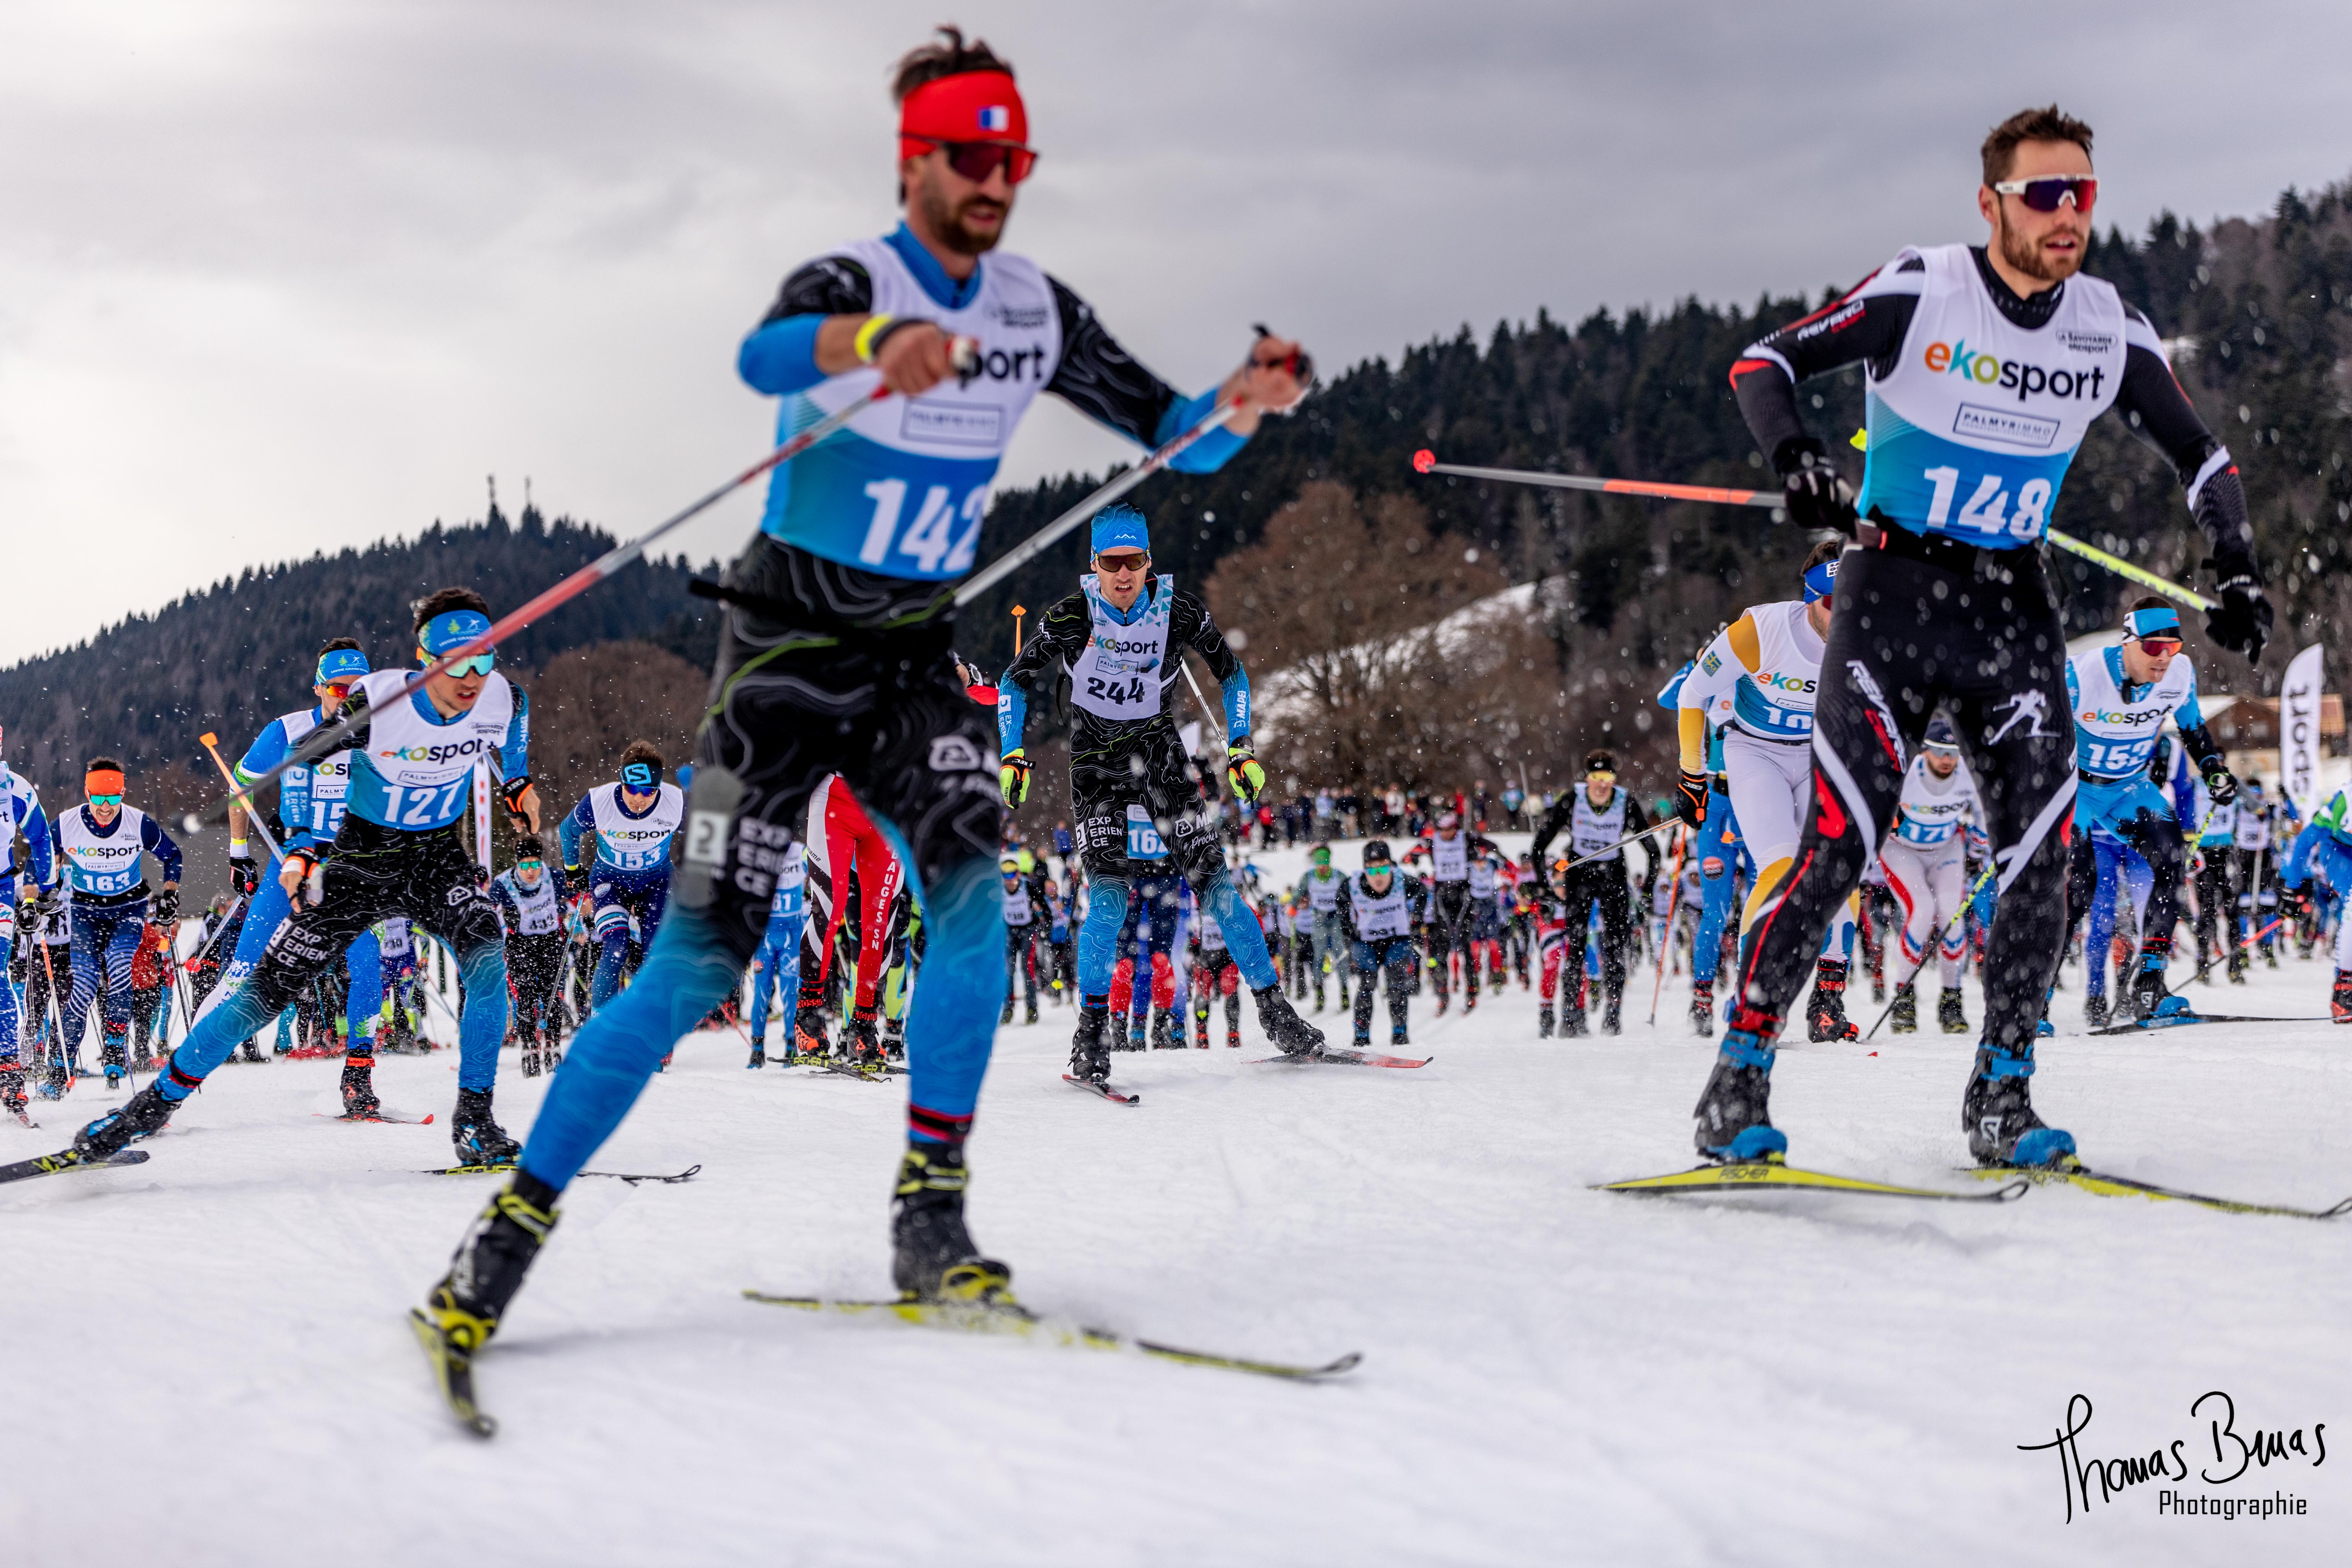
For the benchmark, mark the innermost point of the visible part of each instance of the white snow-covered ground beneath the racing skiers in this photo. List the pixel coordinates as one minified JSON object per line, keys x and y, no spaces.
{"x":213,"y":1365}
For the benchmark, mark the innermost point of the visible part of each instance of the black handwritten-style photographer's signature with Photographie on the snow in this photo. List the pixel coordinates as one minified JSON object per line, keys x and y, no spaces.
{"x":2217,"y":1454}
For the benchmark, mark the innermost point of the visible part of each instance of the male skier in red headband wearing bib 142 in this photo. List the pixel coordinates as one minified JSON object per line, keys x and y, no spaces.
{"x":838,"y":655}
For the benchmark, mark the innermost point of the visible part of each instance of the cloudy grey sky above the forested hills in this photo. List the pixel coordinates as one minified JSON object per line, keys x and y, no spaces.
{"x":283,"y":276}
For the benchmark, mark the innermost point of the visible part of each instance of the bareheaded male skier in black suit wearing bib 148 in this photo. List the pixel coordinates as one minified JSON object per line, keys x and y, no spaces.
{"x":1984,"y":368}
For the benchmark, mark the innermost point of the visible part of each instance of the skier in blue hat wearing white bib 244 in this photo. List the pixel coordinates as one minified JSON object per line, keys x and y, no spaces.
{"x":1123,"y":641}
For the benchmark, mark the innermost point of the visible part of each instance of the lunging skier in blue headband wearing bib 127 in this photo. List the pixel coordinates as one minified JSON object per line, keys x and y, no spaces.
{"x":401,"y":852}
